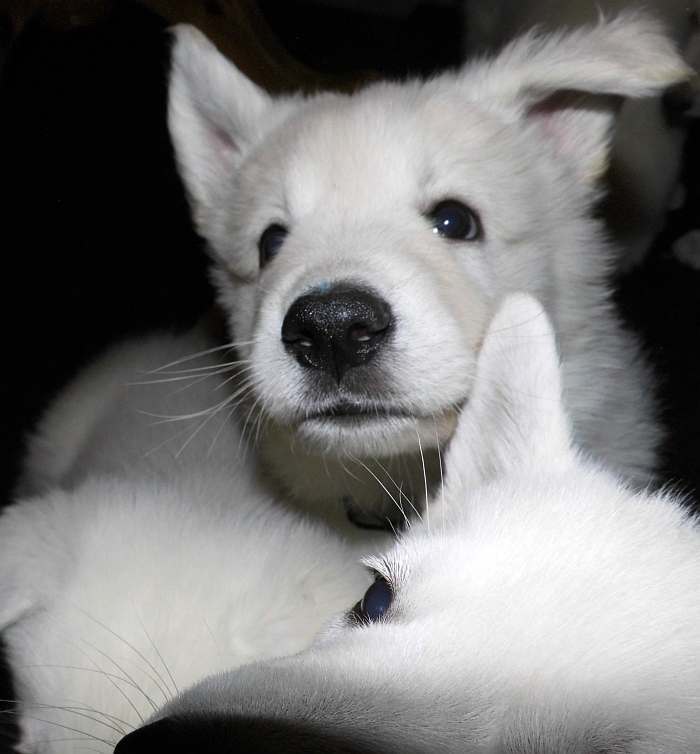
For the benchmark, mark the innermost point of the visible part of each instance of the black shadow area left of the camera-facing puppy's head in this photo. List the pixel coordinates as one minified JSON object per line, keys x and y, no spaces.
{"x":96,"y":237}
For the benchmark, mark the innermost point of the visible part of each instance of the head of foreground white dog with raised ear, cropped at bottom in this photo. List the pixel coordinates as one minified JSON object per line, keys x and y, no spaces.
{"x":540,"y":607}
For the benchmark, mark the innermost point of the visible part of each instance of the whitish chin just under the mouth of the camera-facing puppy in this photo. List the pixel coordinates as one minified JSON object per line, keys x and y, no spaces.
{"x":375,"y":436}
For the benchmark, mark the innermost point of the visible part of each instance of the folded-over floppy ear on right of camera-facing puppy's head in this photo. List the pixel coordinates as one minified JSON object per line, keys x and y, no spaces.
{"x":544,"y":78}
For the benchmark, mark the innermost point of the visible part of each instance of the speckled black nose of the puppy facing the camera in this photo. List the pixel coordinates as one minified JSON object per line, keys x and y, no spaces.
{"x":337,"y":329}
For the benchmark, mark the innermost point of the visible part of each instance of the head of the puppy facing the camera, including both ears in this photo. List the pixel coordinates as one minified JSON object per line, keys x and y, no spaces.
{"x":361,"y":241}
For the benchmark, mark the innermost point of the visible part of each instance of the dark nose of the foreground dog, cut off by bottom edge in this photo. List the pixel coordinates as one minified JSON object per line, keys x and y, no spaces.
{"x":240,"y":735}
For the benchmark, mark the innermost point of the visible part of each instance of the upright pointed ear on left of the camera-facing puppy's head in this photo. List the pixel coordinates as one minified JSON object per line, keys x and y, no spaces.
{"x":215,"y":115}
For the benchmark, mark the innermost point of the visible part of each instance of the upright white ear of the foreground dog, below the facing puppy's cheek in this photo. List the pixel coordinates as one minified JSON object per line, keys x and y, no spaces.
{"x":514,"y":417}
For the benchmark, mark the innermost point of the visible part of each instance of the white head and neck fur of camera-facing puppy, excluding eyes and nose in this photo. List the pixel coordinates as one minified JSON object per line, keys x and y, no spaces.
{"x":352,"y":178}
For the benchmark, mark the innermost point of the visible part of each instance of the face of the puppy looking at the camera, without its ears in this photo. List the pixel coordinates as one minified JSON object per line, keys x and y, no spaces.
{"x":391,"y":309}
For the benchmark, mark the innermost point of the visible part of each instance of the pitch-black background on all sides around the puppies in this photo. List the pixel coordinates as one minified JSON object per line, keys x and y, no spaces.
{"x":95,"y":237}
